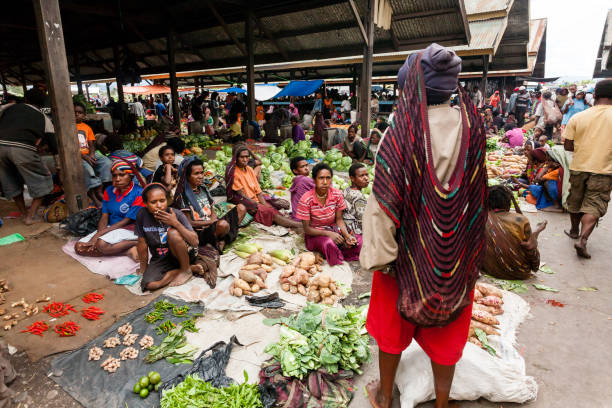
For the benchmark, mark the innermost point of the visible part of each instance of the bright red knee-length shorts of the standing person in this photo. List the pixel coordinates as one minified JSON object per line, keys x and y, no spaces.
{"x":444,"y":345}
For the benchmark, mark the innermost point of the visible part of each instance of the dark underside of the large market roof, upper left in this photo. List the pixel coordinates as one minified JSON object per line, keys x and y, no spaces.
{"x":211,"y":34}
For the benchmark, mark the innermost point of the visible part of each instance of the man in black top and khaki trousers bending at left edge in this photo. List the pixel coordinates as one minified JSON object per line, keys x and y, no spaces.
{"x":22,"y":129}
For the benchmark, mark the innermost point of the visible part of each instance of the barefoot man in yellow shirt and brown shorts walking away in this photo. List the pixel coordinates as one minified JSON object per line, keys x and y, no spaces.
{"x":587,"y":134}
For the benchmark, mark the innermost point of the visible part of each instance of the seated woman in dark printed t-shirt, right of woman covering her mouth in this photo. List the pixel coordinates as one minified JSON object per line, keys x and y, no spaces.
{"x":192,"y":197}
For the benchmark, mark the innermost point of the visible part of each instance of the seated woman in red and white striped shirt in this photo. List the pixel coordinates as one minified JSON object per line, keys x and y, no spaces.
{"x":320,"y":210}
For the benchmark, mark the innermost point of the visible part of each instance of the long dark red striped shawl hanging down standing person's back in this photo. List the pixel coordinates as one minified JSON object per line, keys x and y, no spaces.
{"x":440,"y":232}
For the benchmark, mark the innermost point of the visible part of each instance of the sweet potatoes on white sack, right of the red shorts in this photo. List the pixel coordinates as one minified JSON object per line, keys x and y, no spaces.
{"x":488,"y":301}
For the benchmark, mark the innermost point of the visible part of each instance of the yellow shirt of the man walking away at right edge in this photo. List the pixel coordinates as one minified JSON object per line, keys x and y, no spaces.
{"x":590,"y":131}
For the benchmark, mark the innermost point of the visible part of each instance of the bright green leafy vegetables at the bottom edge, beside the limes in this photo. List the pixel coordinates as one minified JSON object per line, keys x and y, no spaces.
{"x":195,"y":392}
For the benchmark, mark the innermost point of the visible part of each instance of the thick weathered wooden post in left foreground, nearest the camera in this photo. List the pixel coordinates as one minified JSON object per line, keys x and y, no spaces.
{"x":51,"y":38}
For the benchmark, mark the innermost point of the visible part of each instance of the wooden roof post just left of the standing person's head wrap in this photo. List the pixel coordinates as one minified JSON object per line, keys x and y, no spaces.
{"x":366,"y":72}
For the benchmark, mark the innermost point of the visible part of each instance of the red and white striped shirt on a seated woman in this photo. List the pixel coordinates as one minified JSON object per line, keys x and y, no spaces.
{"x":309,"y":208}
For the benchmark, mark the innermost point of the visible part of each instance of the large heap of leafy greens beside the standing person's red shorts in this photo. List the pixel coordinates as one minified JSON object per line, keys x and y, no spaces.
{"x":307,"y":343}
